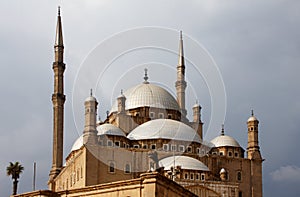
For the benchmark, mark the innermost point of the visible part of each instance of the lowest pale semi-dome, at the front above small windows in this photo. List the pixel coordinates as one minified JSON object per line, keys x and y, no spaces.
{"x":184,"y":162}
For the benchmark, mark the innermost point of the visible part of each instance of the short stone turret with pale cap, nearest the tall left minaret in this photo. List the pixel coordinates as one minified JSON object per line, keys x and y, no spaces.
{"x":90,"y":132}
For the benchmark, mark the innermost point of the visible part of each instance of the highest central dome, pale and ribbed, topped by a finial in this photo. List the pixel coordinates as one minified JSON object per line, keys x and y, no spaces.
{"x":147,"y":95}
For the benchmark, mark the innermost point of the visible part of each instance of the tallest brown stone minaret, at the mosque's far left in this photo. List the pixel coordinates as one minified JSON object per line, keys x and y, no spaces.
{"x":58,"y":100}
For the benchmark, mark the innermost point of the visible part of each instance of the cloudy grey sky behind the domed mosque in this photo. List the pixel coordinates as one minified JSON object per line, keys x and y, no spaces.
{"x":255,"y":45}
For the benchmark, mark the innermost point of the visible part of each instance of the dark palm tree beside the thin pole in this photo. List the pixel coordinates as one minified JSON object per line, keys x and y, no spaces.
{"x":14,"y":169}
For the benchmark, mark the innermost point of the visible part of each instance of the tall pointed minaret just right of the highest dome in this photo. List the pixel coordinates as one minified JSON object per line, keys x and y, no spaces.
{"x":181,"y":83}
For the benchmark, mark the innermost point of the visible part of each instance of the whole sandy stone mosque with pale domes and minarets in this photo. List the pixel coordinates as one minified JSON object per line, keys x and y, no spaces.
{"x":146,"y":146}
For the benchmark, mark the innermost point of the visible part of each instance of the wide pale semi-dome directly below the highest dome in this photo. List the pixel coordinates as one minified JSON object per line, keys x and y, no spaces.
{"x":164,"y":129}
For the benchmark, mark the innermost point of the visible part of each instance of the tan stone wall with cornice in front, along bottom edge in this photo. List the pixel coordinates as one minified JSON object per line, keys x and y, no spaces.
{"x":148,"y":185}
